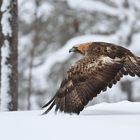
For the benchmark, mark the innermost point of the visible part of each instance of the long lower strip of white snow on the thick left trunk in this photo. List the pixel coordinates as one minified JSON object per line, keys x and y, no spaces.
{"x":5,"y":73}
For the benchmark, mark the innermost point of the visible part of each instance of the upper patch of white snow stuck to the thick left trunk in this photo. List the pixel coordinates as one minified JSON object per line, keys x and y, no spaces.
{"x":6,"y":16}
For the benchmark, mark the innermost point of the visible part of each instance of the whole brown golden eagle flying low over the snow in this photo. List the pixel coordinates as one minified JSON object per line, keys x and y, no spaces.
{"x":102,"y":66}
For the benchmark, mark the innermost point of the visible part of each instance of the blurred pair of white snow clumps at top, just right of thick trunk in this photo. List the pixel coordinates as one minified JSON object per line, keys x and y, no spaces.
{"x":28,"y":9}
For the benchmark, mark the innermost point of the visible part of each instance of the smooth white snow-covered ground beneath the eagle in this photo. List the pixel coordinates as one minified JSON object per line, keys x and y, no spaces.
{"x":114,"y":121}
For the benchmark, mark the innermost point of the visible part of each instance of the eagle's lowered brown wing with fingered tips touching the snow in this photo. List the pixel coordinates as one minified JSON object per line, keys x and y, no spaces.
{"x":84,"y":80}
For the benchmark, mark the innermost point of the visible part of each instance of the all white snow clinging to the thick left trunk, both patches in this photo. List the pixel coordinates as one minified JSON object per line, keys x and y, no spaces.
{"x":5,"y":50}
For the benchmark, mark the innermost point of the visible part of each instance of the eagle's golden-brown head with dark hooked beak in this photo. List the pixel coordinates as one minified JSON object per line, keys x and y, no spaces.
{"x":81,"y":48}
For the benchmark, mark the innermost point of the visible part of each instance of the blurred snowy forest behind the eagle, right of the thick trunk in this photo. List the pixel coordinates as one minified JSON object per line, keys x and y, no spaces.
{"x":48,"y":28}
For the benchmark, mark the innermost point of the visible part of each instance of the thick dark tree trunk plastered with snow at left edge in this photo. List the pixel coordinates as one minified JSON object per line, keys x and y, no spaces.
{"x":9,"y":78}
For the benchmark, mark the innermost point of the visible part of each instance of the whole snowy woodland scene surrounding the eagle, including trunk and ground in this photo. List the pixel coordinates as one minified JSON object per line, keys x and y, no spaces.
{"x":35,"y":38}
